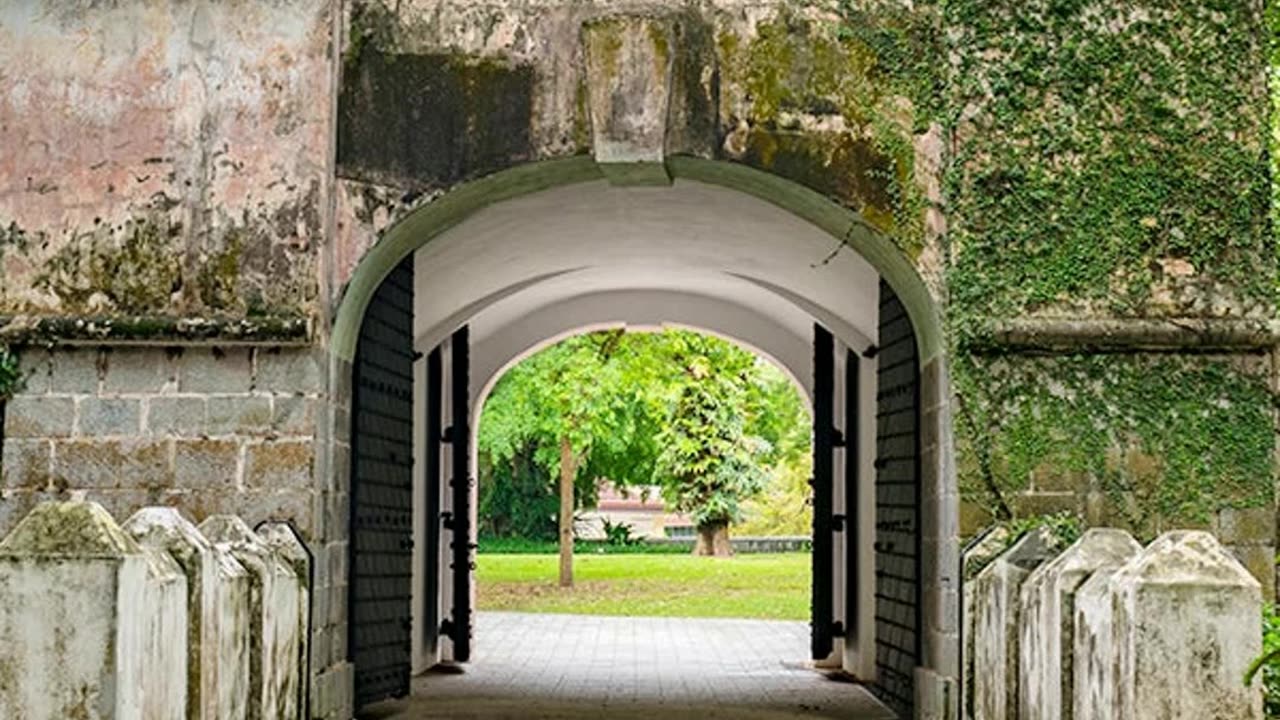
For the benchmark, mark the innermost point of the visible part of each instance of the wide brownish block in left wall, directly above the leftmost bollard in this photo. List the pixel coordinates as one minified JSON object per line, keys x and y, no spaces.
{"x":112,"y":464}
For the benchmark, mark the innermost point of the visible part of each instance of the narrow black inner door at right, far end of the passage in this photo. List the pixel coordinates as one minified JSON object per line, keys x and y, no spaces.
{"x":826,"y":440}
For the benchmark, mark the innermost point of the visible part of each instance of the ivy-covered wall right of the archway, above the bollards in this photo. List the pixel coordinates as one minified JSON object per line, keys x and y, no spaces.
{"x":1110,"y":163}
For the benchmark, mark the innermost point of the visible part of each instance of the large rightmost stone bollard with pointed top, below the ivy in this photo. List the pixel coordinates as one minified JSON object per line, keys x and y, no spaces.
{"x":1183,"y":628}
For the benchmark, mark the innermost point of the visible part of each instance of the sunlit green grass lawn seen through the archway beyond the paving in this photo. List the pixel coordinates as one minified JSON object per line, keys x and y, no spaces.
{"x":676,"y":586}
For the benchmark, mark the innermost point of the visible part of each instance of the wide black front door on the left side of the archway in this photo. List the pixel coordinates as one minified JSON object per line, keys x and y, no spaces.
{"x":382,"y":493}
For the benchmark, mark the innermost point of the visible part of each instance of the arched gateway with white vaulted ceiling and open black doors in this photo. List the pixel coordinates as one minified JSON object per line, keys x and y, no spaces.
{"x":465,"y":285}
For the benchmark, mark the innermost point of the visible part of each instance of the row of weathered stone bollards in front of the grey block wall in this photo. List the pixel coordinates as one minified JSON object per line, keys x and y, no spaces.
{"x":156,"y":619}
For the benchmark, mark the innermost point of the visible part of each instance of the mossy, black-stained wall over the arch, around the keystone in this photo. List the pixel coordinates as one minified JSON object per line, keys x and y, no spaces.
{"x":842,"y":102}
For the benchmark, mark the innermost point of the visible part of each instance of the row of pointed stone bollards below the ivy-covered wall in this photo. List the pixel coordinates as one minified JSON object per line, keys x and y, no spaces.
{"x":1107,"y":630}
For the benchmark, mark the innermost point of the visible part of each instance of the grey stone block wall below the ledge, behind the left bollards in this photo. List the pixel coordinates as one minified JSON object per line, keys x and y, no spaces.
{"x":205,"y":430}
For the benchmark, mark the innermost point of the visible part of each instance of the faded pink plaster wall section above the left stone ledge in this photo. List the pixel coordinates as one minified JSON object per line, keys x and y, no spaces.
{"x":163,"y":160}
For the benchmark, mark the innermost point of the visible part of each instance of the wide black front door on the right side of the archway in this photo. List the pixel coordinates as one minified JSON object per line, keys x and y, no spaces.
{"x":898,"y":507}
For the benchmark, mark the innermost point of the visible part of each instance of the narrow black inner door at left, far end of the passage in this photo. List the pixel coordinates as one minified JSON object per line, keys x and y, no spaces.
{"x":459,"y":523}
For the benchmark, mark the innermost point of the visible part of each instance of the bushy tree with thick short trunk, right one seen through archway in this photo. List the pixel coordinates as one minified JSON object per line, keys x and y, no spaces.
{"x":708,"y":463}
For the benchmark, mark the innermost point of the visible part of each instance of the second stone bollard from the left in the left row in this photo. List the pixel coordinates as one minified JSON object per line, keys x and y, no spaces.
{"x":217,"y":604}
